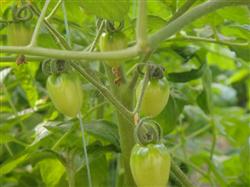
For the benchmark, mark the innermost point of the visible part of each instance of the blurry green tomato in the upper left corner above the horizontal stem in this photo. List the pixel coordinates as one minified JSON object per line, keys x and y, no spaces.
{"x":19,"y":34}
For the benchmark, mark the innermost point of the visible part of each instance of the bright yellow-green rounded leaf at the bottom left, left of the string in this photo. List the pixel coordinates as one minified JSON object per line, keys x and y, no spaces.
{"x":51,"y":171}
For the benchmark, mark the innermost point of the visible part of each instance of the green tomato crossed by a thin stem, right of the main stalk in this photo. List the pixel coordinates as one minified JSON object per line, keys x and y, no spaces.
{"x":155,"y":96}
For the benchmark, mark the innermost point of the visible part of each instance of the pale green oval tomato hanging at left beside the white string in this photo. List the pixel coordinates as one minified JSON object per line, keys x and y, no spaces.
{"x":66,"y":93}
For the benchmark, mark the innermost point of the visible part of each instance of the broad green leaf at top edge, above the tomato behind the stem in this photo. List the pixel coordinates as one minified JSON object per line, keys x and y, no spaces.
{"x":115,"y":10}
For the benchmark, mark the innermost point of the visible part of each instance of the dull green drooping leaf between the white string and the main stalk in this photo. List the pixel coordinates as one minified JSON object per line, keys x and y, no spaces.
{"x":105,"y":130}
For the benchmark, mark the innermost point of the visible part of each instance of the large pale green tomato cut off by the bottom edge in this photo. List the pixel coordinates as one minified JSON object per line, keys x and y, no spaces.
{"x":150,"y":165}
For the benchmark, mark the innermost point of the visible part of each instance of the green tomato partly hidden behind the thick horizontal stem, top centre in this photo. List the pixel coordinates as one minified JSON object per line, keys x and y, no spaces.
{"x":111,"y":42}
